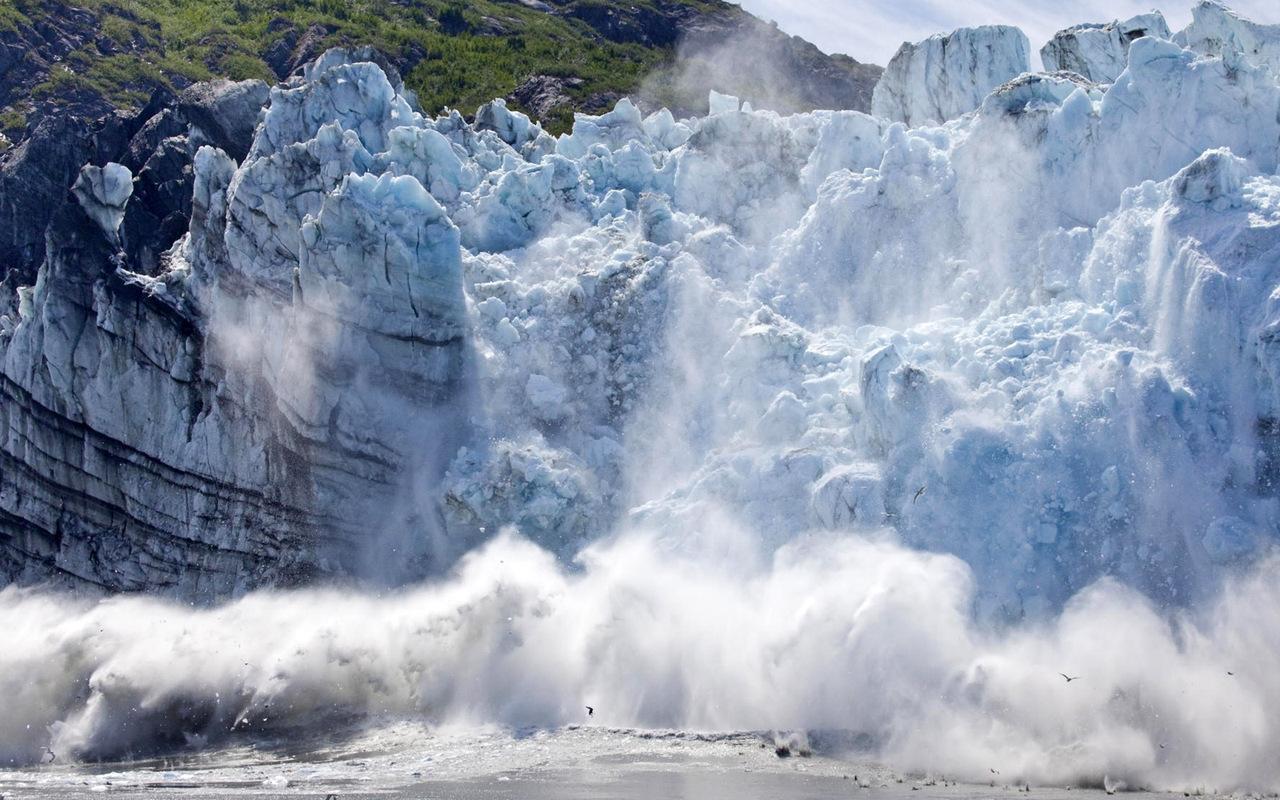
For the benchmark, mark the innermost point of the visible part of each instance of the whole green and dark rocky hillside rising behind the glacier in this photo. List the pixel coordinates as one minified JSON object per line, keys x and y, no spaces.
{"x":547,"y":58}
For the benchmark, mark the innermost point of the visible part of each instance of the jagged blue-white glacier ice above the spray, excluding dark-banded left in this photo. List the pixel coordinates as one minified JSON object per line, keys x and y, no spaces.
{"x":1041,"y":336}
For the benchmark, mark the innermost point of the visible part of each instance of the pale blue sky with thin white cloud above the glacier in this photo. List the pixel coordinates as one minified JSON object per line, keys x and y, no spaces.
{"x":872,"y":30}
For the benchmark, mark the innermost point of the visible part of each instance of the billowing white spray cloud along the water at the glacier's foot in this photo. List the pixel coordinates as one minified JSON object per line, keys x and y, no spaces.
{"x":831,"y":633}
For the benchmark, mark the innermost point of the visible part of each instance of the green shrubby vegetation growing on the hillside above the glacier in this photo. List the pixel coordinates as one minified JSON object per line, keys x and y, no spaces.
{"x":465,"y":53}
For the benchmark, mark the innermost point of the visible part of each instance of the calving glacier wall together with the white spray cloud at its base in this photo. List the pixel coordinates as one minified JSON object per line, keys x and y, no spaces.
{"x":757,"y":420}
